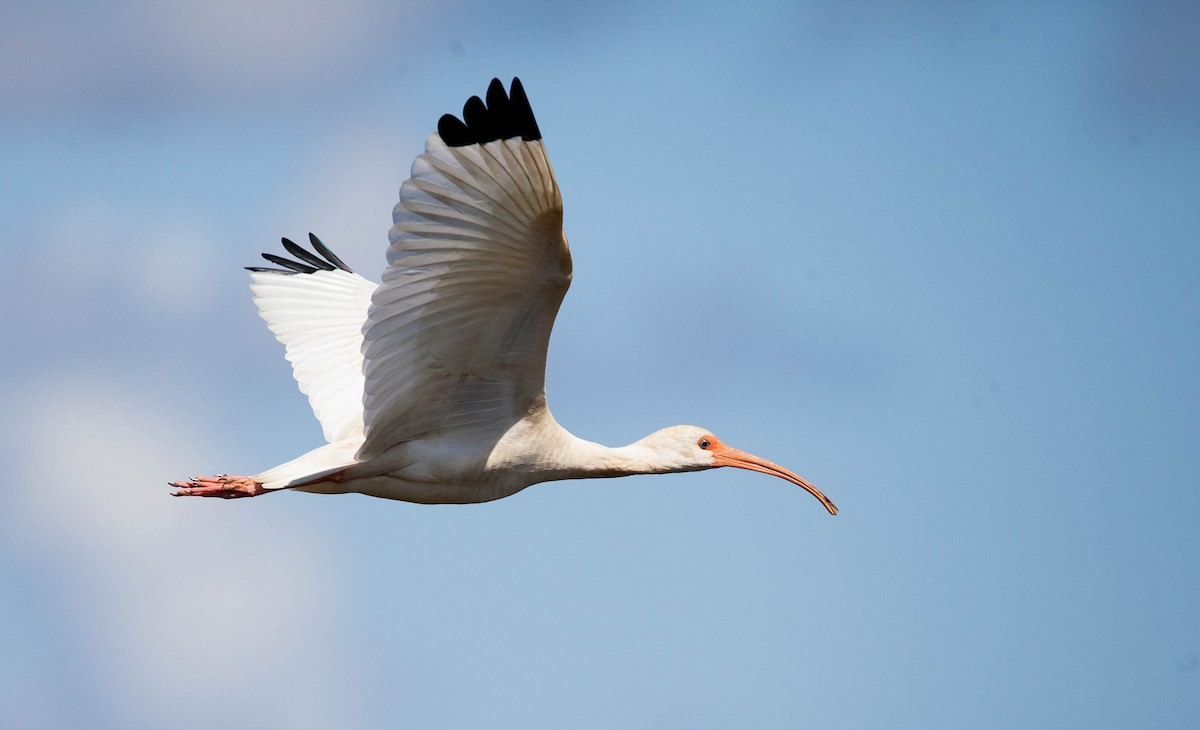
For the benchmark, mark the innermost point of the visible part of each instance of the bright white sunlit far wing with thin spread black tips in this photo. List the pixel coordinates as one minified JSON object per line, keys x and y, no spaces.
{"x":317,"y":308}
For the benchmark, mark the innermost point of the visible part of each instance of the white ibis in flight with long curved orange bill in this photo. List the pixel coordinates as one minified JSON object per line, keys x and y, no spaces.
{"x":430,"y":387}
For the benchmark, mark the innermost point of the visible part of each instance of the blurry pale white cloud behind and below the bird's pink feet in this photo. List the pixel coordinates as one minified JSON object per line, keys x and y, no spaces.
{"x":176,"y":595}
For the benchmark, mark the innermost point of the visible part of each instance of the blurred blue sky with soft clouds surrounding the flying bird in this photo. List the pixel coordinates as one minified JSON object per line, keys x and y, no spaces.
{"x":939,"y":259}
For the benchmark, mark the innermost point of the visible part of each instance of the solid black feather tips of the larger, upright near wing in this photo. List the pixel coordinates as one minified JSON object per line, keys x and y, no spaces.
{"x":503,"y":117}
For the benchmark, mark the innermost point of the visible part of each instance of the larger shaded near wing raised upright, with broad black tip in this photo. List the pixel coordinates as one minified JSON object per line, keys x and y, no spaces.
{"x":458,"y":332}
